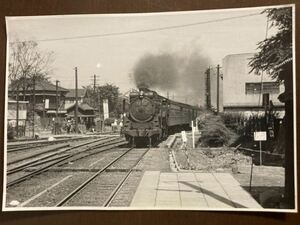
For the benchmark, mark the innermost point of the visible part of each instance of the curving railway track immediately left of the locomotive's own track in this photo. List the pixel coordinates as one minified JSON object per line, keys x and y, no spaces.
{"x":60,"y":158}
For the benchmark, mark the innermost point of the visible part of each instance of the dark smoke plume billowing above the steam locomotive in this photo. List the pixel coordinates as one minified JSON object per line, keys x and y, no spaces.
{"x":181,"y":75}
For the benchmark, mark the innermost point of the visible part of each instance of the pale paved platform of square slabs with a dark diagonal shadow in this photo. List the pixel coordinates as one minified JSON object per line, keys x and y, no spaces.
{"x":191,"y":190}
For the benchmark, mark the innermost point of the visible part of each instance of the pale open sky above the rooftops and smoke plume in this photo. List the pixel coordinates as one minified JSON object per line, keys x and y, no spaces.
{"x":113,"y":57}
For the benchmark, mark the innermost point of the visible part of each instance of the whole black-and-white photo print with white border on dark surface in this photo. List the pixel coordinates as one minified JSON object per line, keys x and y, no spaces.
{"x":185,"y":110}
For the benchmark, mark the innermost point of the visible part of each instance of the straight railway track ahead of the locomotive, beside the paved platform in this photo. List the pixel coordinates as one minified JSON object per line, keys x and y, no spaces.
{"x":74,"y":197}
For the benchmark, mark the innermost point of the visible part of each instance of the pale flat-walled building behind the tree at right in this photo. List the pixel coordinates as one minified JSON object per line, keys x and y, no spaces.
{"x":248,"y":92}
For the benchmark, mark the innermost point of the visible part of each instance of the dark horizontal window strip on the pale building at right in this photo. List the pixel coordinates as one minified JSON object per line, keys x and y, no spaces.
{"x":265,"y":87}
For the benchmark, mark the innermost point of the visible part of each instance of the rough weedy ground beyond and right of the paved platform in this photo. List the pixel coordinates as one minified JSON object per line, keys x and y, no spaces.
{"x":267,"y":183}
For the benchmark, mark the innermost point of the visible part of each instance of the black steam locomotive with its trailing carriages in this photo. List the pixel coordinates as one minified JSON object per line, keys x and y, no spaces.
{"x":152,"y":117}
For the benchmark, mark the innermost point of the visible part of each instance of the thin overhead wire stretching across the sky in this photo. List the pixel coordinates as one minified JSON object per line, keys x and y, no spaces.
{"x":142,"y":31}
